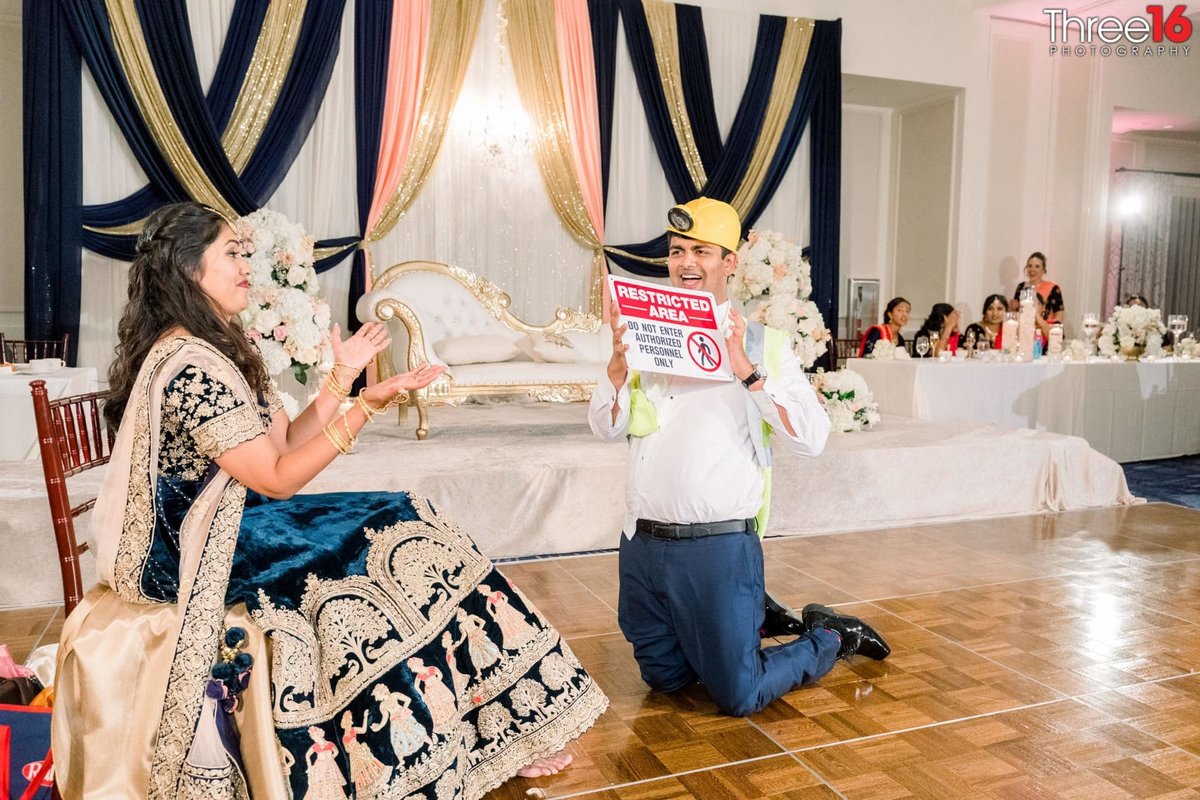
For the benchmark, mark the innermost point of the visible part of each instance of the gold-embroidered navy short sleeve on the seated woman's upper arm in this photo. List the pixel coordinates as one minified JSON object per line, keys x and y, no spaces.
{"x":206,"y":408}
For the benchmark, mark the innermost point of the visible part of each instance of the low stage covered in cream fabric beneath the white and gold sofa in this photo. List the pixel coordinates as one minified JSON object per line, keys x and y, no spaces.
{"x":530,"y":479}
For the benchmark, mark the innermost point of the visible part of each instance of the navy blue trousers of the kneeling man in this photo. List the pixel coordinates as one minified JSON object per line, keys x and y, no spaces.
{"x":693,"y":610}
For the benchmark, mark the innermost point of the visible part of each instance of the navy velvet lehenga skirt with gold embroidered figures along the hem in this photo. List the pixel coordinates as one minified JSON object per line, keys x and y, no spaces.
{"x":404,"y":664}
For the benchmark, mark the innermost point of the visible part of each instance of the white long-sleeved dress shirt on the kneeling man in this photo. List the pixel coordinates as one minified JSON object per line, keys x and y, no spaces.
{"x":701,"y":466}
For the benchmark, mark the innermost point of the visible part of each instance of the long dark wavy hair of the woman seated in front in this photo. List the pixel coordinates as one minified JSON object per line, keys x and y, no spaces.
{"x":165,"y":293}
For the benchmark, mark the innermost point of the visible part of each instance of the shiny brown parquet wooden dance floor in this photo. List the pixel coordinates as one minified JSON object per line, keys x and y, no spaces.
{"x":1047,"y":657}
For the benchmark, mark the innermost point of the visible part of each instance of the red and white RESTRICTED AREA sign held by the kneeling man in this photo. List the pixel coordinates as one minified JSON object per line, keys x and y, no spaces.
{"x":671,"y":330}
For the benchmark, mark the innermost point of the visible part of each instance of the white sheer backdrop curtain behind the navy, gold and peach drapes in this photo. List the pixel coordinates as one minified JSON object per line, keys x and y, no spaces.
{"x":484,"y":206}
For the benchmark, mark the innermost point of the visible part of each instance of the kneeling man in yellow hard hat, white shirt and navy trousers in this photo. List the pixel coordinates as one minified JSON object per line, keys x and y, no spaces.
{"x":692,"y":566}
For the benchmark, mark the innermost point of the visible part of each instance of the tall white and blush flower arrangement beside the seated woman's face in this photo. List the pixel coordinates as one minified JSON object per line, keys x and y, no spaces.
{"x":287,"y":318}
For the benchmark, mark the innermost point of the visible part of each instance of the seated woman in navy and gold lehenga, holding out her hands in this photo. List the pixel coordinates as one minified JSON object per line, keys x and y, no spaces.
{"x":207,"y":555}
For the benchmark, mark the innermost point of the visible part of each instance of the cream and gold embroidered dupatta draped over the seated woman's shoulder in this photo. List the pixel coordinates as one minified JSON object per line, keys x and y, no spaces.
{"x":133,"y":671}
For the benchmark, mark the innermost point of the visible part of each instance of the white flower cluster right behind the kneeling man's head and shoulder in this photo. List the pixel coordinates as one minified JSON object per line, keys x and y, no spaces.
{"x":772,"y":270}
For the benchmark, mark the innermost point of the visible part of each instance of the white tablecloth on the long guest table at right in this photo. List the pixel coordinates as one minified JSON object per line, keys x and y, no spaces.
{"x":1126,"y":411}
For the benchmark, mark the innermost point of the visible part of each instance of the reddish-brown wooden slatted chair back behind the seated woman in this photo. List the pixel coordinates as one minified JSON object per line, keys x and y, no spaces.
{"x":74,"y":440}
